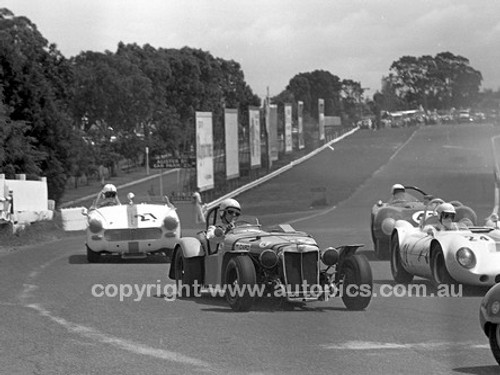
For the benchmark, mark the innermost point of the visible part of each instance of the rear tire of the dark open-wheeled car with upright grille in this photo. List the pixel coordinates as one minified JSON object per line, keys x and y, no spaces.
{"x":187,"y":274}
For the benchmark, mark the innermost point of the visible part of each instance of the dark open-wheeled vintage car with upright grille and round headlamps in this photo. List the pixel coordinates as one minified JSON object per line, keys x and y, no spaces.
{"x":278,"y":261}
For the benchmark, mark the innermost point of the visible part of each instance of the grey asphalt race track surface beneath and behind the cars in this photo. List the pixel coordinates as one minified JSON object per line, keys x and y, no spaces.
{"x":51,"y":323}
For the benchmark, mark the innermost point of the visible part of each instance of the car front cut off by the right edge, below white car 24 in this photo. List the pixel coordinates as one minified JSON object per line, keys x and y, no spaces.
{"x":489,"y":318}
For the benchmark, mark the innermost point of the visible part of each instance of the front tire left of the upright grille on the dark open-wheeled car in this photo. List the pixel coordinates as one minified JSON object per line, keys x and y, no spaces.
{"x":240,"y":271}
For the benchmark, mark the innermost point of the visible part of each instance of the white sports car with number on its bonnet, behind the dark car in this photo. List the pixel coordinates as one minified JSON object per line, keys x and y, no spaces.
{"x":132,"y":230}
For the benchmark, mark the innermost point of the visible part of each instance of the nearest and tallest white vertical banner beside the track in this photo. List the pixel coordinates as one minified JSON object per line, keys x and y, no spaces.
{"x":204,"y":151}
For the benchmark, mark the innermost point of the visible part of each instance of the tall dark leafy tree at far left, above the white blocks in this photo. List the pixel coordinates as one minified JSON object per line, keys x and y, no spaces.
{"x":35,"y":78}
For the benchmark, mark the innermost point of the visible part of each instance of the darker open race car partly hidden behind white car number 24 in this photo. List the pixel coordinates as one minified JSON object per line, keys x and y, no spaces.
{"x":409,"y":207}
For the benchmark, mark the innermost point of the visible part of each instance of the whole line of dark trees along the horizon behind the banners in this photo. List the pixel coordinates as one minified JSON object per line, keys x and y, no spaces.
{"x":62,"y":117}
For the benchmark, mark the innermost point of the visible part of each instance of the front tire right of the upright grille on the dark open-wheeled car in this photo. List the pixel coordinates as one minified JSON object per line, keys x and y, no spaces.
{"x":358,"y":282}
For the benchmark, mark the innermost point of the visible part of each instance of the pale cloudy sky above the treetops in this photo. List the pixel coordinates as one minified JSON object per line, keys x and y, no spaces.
{"x":273,"y":40}
